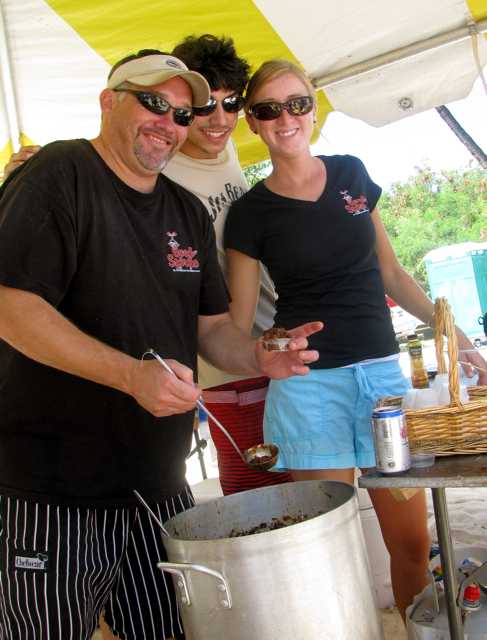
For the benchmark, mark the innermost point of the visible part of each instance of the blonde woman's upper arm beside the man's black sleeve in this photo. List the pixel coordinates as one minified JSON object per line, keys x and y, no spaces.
{"x":243,"y":284}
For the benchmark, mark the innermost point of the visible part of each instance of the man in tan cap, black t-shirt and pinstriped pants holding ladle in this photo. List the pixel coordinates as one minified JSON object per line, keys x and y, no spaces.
{"x":85,"y":291}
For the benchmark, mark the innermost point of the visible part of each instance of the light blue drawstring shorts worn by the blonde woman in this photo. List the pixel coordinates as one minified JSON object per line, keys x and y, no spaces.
{"x":324,"y":420}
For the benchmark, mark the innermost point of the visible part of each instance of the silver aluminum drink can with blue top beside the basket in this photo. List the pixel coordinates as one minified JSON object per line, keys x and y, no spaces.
{"x":391,"y":442}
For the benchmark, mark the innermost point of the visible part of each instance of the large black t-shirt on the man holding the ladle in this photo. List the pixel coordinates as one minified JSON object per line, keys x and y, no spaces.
{"x":133,"y":270}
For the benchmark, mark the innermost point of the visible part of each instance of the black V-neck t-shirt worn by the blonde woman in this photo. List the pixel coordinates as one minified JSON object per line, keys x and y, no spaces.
{"x":322,"y":258}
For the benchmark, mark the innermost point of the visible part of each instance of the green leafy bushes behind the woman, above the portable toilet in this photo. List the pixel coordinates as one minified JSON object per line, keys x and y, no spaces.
{"x":434,"y":209}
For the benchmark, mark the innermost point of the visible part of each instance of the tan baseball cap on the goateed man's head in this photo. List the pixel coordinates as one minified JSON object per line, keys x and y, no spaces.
{"x":157,"y":68}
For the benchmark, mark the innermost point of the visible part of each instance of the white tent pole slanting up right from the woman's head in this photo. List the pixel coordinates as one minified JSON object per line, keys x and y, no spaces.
{"x":400,"y":54}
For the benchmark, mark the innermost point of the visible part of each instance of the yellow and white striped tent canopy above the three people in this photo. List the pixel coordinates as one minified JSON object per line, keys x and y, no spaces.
{"x":379,"y":61}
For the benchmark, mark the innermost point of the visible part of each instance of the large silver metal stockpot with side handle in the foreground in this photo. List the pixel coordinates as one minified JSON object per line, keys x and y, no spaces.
{"x":309,"y":579}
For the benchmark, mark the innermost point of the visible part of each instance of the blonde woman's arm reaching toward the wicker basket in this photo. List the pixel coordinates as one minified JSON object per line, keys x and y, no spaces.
{"x":406,"y":292}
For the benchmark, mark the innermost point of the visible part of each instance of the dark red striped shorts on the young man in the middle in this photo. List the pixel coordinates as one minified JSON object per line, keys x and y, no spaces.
{"x":239,"y":406}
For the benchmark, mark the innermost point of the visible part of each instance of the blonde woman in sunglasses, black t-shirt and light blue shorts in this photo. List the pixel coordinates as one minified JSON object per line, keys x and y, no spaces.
{"x":315,"y":225}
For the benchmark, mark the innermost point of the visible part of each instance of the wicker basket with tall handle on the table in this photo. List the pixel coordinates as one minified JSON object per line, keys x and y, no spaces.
{"x":451,"y":429}
